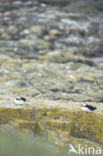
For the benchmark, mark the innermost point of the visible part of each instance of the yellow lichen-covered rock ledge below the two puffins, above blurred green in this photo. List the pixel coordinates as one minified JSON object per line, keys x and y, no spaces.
{"x":62,"y":122}
